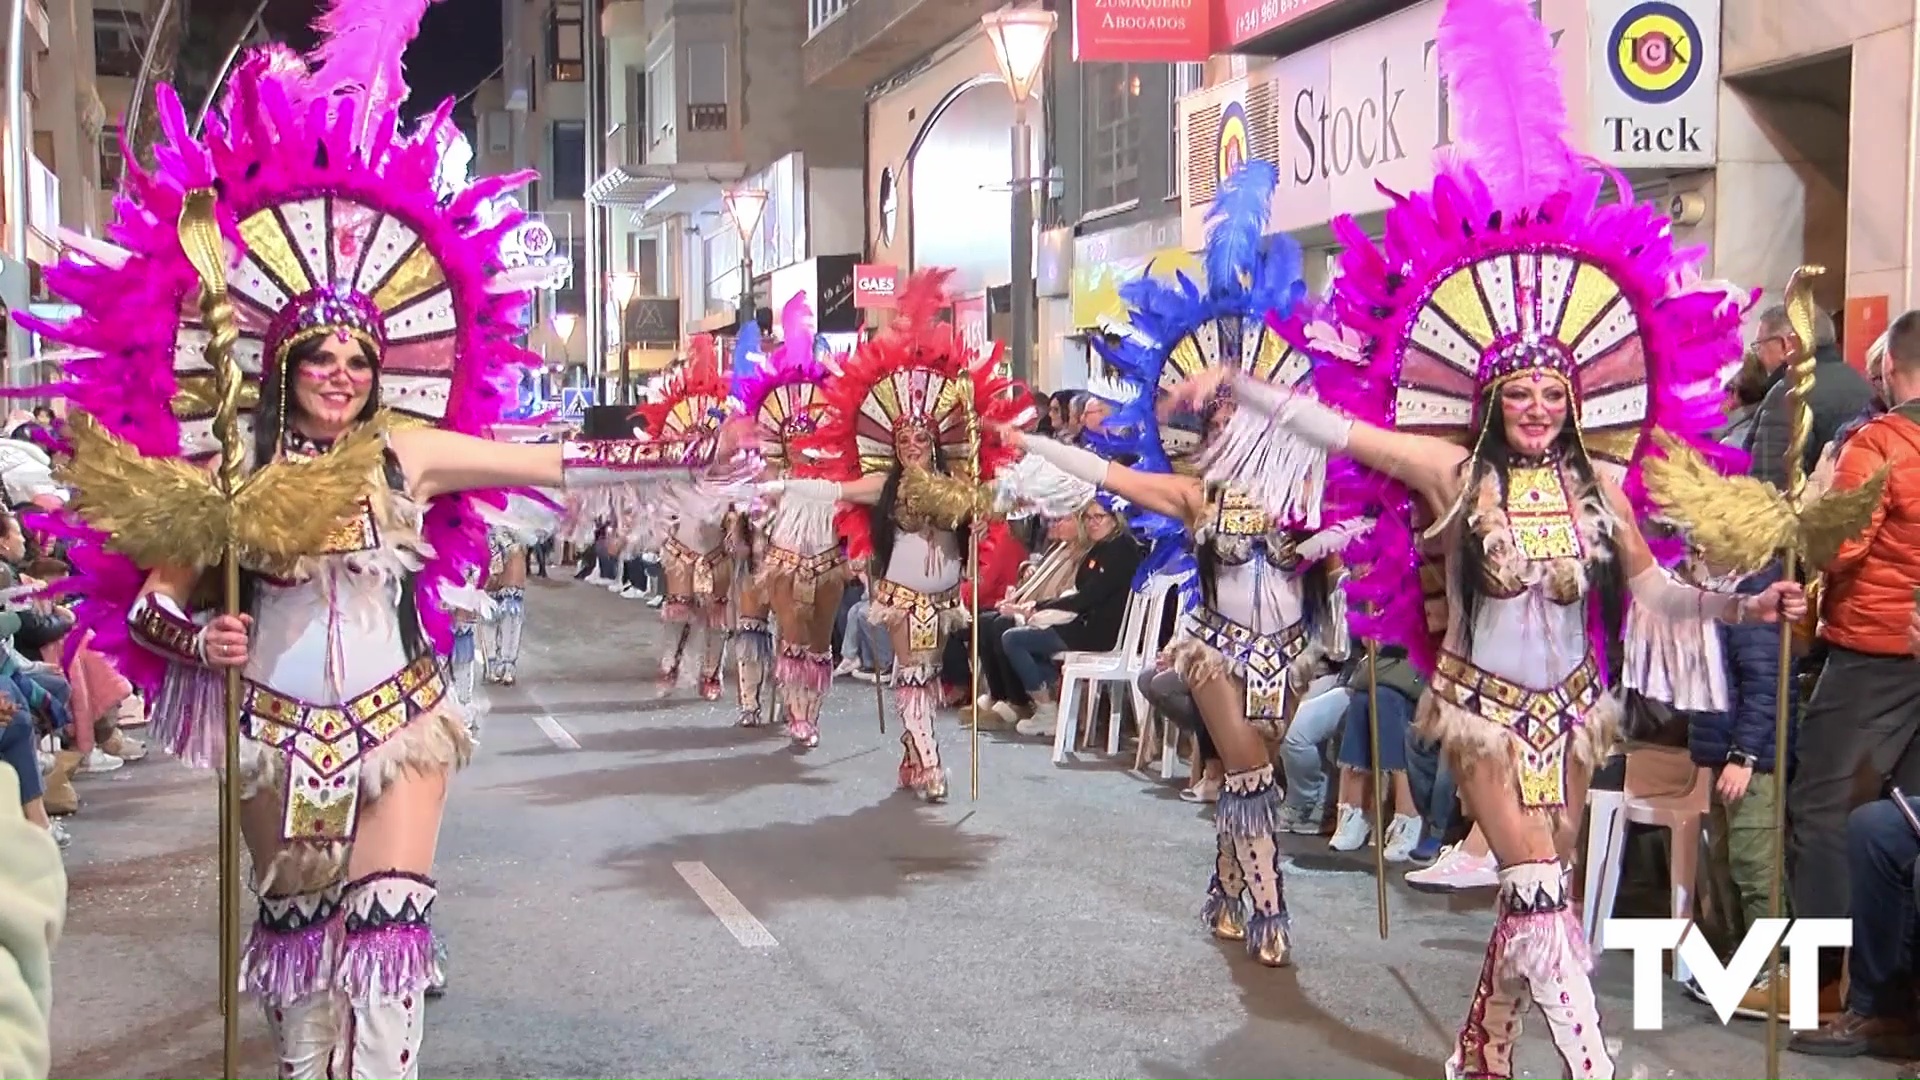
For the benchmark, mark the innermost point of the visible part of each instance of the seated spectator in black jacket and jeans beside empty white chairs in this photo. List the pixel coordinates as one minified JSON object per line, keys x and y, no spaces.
{"x":1084,"y":620}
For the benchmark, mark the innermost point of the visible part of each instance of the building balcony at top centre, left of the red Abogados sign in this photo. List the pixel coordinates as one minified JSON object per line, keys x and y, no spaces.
{"x":857,"y":43}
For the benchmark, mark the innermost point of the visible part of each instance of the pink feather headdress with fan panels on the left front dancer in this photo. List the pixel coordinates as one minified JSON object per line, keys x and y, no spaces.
{"x":347,"y":230}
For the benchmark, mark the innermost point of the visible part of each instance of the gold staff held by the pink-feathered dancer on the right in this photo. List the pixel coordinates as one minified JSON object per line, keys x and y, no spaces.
{"x":1800,"y":430}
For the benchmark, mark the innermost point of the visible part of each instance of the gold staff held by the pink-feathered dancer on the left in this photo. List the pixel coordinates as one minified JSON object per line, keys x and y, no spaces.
{"x":206,"y":251}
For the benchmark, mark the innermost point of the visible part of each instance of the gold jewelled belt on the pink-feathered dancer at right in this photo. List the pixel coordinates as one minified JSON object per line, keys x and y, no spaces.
{"x":1539,"y":722}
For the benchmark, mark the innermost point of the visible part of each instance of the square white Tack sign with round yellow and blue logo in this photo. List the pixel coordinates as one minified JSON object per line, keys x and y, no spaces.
{"x":1656,"y":82}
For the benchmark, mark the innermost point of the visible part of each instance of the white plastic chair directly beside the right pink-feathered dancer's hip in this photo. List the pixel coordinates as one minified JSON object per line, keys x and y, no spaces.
{"x":1681,"y":814}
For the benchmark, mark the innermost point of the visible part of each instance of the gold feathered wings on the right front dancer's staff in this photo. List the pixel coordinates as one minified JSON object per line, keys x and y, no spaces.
{"x":1742,"y":524}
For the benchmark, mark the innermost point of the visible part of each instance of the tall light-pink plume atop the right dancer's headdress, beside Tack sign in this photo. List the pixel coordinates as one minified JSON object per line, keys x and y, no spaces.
{"x":1510,"y":114}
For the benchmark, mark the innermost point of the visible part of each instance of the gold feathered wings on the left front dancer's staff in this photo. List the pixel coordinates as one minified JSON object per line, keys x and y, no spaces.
{"x":170,"y":512}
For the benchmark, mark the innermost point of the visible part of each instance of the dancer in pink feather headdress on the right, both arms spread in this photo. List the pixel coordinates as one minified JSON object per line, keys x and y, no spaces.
{"x":1504,"y":360}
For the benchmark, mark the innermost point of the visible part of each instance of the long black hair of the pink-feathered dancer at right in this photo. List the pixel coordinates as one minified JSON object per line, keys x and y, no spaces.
{"x":1606,"y":577}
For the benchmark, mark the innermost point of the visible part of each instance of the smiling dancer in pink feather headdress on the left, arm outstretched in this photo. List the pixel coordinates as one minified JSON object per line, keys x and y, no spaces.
{"x":375,"y":328}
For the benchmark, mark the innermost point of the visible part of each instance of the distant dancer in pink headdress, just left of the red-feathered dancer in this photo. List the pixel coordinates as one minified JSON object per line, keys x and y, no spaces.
{"x":802,"y":570}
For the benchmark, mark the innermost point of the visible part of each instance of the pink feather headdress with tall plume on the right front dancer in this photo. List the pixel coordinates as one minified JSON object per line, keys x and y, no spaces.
{"x":1514,"y":266}
